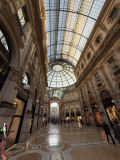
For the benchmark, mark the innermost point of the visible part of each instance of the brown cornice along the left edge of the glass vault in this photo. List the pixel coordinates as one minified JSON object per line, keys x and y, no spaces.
{"x":36,"y":19}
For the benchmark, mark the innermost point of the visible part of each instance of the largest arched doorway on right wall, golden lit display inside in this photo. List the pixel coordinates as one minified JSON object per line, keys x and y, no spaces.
{"x":110,"y":107}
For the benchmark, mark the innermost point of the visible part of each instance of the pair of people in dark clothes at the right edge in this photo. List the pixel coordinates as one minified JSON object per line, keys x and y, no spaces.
{"x":116,"y":129}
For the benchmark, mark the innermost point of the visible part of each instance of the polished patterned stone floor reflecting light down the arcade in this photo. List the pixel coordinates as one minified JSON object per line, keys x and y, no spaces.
{"x":65,"y":142}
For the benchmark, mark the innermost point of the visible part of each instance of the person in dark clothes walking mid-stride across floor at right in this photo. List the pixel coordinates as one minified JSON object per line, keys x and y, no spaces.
{"x":107,"y":132}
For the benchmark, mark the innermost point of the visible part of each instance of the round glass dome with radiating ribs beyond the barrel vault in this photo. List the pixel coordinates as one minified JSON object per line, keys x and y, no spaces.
{"x":60,"y":75}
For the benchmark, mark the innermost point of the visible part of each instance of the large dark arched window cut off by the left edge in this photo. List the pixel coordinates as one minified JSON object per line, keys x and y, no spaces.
{"x":5,"y":58}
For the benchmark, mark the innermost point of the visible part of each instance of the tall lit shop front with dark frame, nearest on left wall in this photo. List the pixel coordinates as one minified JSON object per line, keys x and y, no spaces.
{"x":17,"y":120}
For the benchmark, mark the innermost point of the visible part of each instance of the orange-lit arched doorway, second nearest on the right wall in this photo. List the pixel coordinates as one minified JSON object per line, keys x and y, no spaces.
{"x":95,"y":112}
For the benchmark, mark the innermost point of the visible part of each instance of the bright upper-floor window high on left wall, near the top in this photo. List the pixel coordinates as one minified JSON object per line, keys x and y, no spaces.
{"x":23,"y":17}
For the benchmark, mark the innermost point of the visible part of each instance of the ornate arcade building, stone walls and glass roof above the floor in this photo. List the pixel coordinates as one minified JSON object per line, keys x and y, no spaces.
{"x":63,"y":52}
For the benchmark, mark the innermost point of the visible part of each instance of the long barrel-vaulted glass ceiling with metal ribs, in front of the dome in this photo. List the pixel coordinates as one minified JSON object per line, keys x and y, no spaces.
{"x":68,"y":26}
